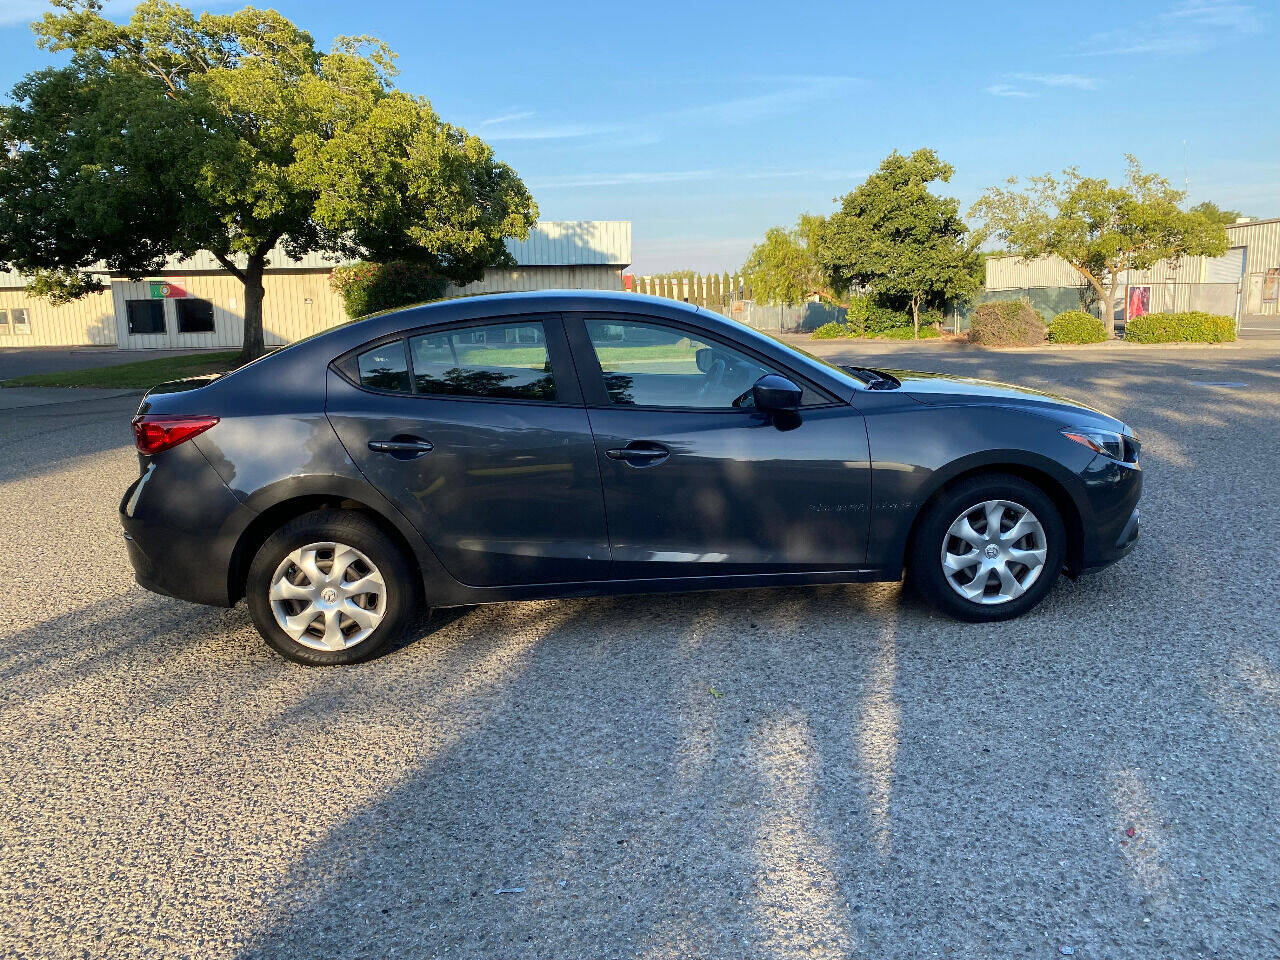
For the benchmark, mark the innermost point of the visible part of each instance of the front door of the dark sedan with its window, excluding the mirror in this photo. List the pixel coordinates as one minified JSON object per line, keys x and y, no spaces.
{"x":697,"y":483}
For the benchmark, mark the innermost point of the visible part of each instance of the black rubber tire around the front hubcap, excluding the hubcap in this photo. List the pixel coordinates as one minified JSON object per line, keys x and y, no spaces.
{"x":931,"y":532}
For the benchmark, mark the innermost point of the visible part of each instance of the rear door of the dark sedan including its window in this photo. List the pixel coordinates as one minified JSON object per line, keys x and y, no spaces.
{"x":478,"y":435}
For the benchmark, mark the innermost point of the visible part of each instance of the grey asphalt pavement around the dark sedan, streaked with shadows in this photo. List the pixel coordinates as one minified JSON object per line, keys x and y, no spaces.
{"x":775,"y":774}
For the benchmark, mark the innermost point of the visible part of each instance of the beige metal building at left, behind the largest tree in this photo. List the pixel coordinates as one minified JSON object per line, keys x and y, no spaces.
{"x":195,"y":303}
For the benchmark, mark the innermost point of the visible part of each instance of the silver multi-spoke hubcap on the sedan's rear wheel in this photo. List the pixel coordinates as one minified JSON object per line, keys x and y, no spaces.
{"x":328,"y":596}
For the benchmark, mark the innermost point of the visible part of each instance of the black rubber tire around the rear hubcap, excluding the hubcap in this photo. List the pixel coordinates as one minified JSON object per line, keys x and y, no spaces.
{"x":354,"y":531}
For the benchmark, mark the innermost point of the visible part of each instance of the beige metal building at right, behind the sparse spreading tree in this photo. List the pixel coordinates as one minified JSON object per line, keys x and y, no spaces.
{"x":1245,"y":282}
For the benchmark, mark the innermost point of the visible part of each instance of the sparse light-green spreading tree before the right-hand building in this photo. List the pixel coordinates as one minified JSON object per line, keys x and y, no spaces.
{"x":1100,"y":230}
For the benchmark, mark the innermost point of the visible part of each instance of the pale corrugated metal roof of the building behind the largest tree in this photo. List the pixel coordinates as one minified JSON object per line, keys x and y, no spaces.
{"x":551,"y":244}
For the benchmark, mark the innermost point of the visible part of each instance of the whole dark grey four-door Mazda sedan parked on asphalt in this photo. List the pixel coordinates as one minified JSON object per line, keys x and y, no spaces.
{"x":580,"y":444}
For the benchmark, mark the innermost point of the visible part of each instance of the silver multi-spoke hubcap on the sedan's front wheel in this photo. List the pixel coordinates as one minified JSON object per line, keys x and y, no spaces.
{"x":994,"y":552}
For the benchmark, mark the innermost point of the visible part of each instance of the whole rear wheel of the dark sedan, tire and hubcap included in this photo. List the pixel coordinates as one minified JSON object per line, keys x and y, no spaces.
{"x":331,"y":588}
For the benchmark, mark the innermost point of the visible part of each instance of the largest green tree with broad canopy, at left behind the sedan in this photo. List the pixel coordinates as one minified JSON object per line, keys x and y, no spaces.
{"x":234,"y":134}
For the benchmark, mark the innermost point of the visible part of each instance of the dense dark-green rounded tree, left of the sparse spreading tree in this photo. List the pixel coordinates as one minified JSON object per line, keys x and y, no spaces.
{"x":899,"y":241}
